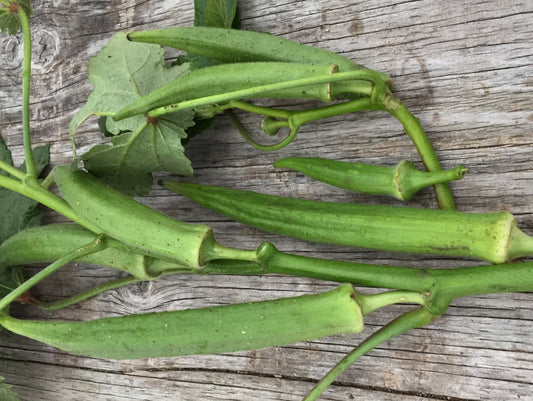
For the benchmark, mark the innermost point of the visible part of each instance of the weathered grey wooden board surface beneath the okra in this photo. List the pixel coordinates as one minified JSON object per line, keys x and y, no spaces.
{"x":464,"y":68}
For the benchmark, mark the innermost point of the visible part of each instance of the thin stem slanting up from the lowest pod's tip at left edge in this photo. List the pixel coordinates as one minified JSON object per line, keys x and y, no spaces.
{"x":92,"y":247}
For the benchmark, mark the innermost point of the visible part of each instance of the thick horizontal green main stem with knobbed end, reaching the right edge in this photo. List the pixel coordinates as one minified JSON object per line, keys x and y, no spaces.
{"x":444,"y":284}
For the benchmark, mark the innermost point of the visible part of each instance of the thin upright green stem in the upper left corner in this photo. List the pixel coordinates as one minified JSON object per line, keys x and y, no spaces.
{"x":26,"y":78}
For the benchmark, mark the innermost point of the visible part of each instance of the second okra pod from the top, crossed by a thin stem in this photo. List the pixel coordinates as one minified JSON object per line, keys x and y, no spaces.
{"x":232,"y":77}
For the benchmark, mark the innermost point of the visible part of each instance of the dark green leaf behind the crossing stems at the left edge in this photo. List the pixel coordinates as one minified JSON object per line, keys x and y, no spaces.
{"x":18,"y":212}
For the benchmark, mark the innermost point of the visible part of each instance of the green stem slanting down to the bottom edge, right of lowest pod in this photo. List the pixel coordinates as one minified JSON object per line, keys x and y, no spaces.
{"x":413,"y":319}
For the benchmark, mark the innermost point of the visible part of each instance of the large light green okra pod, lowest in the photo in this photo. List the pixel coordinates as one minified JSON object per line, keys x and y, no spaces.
{"x":211,"y":330}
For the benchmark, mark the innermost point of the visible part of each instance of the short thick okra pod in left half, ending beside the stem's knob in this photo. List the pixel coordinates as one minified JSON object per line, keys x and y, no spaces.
{"x":148,"y":231}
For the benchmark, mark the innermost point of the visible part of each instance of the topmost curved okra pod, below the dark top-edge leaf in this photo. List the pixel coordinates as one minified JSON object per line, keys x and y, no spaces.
{"x":236,"y":46}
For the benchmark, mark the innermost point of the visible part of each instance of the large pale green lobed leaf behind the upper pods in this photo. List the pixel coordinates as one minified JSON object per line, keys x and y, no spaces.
{"x":121,"y":73}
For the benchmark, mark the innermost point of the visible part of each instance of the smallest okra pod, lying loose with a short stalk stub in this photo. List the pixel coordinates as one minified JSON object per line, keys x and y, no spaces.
{"x":402,"y":181}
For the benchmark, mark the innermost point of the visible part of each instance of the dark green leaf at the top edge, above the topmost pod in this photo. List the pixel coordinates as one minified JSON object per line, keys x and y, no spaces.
{"x":215,"y":13}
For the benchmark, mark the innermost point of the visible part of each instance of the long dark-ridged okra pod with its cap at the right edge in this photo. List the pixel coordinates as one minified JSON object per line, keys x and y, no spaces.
{"x":494,"y":237}
